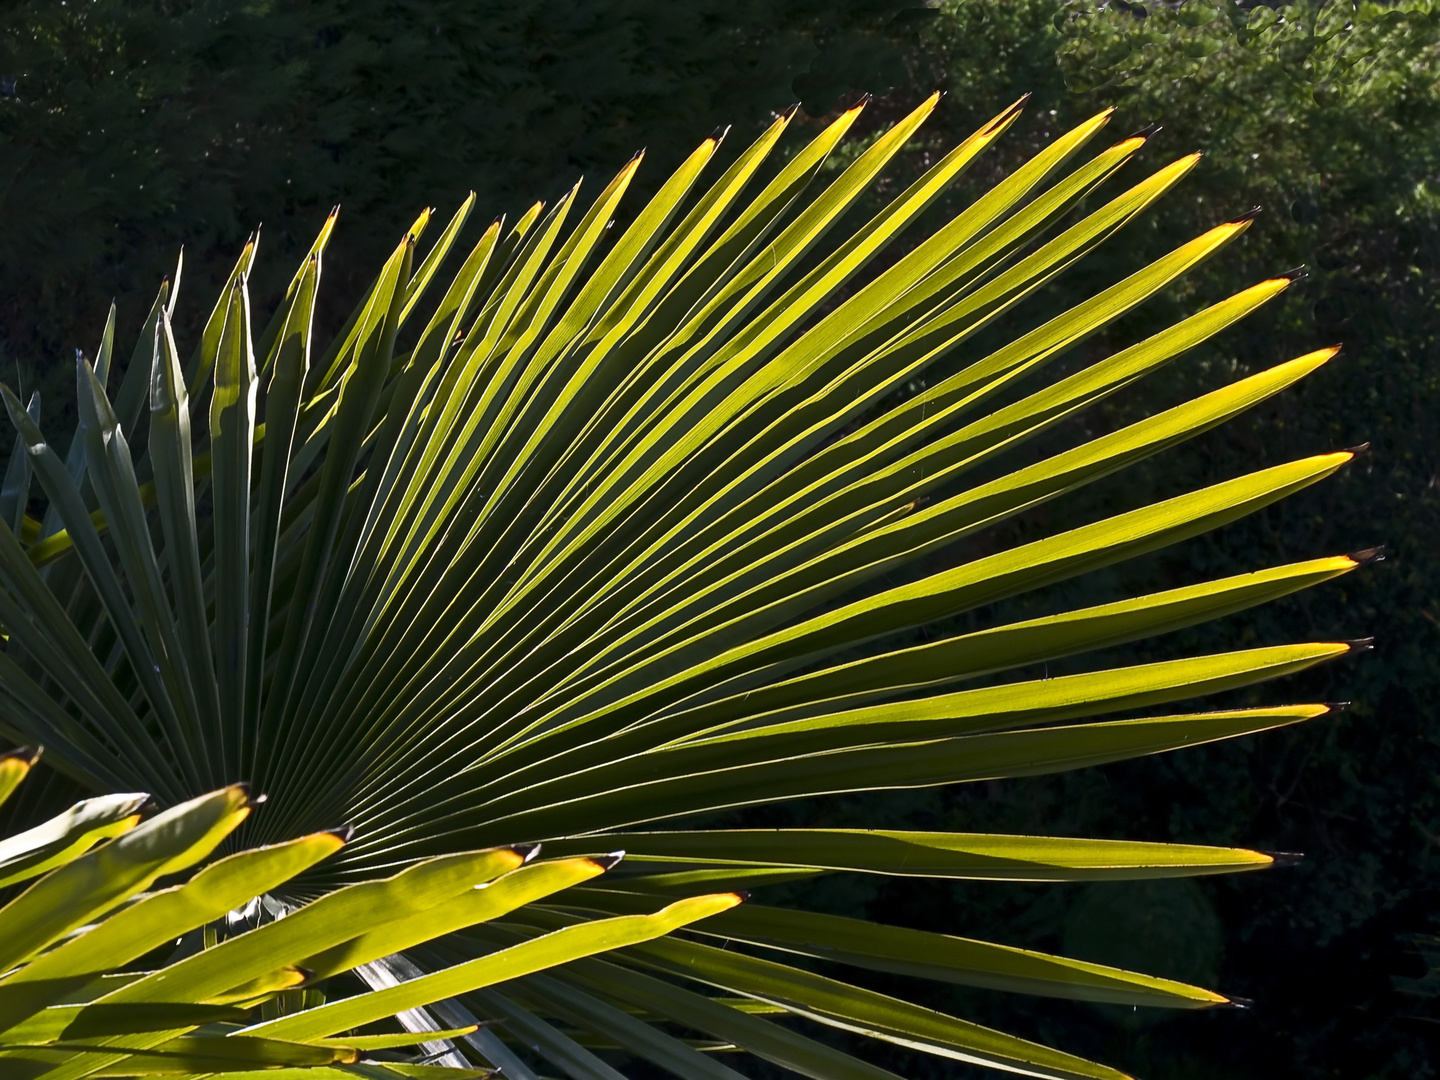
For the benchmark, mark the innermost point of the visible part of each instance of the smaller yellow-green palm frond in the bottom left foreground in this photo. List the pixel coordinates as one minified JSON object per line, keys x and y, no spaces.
{"x":76,"y":1004}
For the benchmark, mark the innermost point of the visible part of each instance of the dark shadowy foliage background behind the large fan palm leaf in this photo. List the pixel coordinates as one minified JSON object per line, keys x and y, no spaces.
{"x":129,"y":127}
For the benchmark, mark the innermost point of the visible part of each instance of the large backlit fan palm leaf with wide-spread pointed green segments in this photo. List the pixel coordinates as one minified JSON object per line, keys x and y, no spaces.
{"x":629,"y":526}
